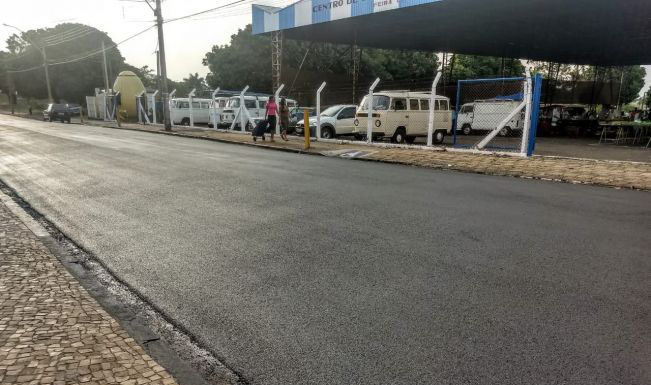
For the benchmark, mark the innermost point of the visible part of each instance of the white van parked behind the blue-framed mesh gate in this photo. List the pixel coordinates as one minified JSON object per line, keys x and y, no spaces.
{"x":486,"y":115}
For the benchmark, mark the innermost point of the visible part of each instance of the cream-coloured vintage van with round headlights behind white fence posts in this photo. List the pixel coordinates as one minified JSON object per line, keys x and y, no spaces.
{"x":403,"y":116}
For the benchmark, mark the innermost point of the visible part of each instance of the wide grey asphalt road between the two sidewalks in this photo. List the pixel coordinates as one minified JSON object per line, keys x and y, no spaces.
{"x":311,"y":270}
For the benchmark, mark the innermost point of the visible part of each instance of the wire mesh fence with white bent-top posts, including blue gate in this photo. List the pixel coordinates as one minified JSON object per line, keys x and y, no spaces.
{"x":482,"y":115}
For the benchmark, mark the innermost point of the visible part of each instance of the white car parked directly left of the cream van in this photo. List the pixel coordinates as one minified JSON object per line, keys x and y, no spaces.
{"x":335,"y":120}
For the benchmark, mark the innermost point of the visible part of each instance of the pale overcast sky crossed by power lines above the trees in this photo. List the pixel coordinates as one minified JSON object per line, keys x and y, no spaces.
{"x":186,"y":41}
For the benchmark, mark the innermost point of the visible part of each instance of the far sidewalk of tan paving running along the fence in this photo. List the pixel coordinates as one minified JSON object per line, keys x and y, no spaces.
{"x":620,"y":174}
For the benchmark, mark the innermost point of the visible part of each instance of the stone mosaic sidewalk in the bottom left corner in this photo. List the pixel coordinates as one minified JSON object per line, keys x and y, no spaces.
{"x":51,"y":330}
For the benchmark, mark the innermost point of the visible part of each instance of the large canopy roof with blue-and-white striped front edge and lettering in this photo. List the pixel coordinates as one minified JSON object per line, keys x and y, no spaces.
{"x":596,"y":32}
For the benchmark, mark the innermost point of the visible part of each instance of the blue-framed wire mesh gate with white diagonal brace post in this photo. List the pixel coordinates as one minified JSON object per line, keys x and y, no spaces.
{"x":491,"y":114}
